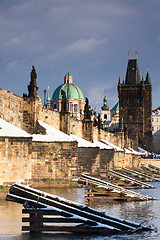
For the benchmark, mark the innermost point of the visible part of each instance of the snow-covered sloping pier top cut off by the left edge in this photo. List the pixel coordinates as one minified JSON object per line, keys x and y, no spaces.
{"x":9,"y":130}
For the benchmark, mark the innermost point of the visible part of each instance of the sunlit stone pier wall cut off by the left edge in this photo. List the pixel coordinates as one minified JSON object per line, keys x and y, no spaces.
{"x":15,"y":160}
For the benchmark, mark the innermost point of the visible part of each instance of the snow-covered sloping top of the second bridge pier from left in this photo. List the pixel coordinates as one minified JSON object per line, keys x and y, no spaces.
{"x":52,"y":135}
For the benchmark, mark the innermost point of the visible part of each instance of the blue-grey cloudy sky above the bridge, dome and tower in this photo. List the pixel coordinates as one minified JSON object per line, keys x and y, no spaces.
{"x":88,"y":38}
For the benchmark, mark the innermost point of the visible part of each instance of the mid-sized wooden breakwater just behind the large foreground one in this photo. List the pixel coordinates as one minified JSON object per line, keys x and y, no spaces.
{"x":100,"y":189}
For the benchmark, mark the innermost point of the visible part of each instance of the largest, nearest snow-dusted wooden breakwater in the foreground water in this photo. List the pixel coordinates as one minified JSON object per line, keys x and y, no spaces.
{"x":50,"y":213}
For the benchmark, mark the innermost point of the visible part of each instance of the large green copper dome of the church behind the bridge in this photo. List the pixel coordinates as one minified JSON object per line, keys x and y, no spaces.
{"x":71,"y":90}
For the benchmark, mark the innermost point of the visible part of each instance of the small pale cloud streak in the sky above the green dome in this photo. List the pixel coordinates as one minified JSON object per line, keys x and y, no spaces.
{"x":83,"y":45}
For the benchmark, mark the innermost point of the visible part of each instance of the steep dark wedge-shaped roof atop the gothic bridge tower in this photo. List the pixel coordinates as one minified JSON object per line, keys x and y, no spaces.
{"x":132,"y":74}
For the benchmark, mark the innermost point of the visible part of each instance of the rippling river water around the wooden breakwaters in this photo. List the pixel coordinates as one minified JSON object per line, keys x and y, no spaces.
{"x":147,"y":213}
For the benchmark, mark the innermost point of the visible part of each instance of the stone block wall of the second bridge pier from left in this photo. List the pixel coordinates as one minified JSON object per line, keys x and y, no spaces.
{"x":52,"y":162}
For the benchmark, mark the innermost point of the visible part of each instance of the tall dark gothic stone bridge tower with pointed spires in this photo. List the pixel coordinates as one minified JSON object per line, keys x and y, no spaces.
{"x":135,"y":107}
